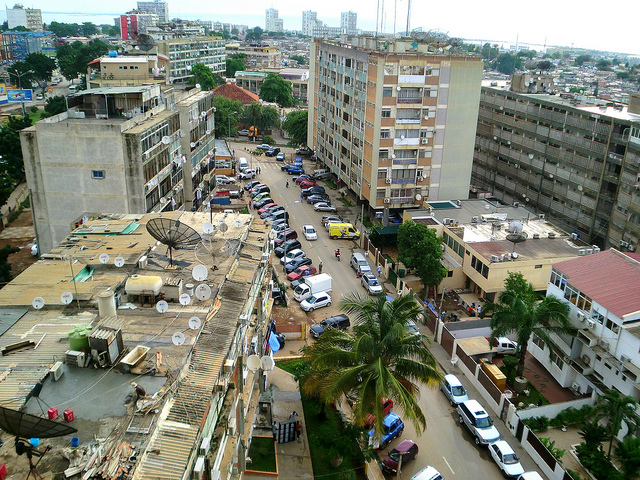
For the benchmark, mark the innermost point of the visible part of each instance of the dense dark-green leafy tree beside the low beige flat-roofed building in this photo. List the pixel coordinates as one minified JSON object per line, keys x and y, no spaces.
{"x":419,"y":248}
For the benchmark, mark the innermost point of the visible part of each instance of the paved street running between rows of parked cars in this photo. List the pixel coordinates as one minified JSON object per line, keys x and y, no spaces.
{"x":445,"y":444}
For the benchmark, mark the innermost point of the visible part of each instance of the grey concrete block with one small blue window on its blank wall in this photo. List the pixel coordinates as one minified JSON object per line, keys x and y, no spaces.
{"x":119,"y":149}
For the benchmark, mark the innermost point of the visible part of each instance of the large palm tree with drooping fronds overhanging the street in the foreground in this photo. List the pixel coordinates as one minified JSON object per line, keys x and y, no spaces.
{"x":380,"y":359}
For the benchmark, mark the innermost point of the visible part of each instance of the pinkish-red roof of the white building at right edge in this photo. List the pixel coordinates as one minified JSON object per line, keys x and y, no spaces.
{"x":610,"y":277}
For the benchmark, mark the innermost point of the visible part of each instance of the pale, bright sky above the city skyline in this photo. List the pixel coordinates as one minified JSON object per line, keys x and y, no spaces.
{"x":563,"y":22}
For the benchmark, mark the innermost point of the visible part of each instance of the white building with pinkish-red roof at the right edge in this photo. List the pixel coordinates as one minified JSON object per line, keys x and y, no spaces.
{"x":605,"y":309}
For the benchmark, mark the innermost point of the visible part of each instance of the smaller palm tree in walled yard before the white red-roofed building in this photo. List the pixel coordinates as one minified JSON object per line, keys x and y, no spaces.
{"x":519,"y":310}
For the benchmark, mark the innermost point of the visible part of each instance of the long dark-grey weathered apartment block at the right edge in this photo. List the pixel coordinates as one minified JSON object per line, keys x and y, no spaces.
{"x":580,"y":166}
